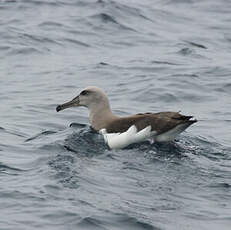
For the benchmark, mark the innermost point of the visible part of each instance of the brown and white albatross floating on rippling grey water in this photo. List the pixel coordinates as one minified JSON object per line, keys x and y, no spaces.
{"x":119,"y":132}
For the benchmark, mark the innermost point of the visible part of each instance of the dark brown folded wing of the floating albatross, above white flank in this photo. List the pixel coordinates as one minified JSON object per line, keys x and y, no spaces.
{"x":160,"y":122}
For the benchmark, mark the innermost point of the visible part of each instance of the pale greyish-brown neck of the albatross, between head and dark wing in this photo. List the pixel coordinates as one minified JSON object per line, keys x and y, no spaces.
{"x":101,"y":115}
